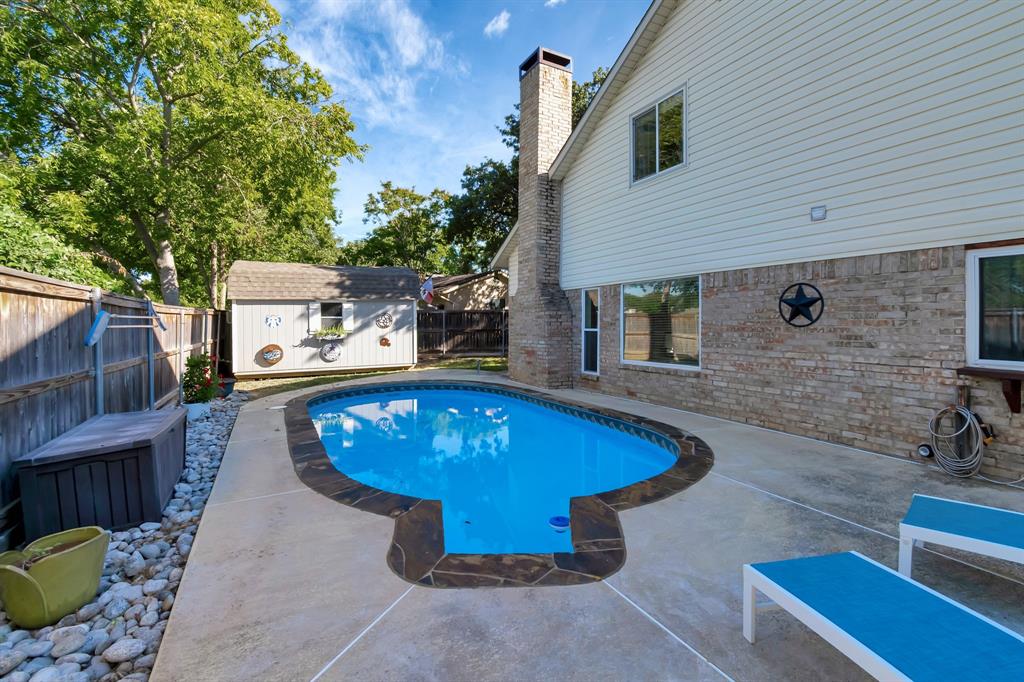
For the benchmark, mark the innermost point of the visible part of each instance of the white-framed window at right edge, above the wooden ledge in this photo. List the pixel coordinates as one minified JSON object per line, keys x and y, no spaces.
{"x":996,"y":308}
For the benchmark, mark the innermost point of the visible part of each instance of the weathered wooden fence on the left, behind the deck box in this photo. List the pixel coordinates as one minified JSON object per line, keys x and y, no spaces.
{"x":48,"y":375}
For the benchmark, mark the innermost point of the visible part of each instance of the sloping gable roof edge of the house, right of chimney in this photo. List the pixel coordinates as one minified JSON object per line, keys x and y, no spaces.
{"x":656,"y":18}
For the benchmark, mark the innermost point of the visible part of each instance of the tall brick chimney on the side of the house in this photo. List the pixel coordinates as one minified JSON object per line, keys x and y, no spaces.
{"x":540,"y":318}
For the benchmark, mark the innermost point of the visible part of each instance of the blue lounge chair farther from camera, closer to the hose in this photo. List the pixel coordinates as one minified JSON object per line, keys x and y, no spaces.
{"x":990,"y":531}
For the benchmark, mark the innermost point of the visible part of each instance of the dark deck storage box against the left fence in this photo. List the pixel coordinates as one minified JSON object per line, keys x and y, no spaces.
{"x":114,"y":472}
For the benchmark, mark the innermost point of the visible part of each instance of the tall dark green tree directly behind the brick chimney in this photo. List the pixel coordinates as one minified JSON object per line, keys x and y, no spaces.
{"x":486,"y":211}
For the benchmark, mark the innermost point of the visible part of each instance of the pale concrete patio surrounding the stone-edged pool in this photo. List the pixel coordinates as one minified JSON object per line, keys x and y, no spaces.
{"x":284,"y":584}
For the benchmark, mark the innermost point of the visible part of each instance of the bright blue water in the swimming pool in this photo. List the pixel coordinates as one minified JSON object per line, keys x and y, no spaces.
{"x":501,"y":466}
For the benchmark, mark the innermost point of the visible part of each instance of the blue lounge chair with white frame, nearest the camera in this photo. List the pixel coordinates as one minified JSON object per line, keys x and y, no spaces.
{"x":892,"y":627}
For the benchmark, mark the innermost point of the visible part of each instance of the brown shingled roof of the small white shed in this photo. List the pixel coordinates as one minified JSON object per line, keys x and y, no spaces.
{"x":255,"y":281}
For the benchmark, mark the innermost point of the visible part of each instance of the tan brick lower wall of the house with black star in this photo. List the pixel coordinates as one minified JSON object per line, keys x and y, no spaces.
{"x":870,"y":374}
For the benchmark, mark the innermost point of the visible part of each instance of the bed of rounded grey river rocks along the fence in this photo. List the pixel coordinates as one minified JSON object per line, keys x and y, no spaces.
{"x":117,"y":635}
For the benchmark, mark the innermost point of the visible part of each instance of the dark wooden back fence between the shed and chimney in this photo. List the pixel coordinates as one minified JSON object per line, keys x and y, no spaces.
{"x":462,"y":332}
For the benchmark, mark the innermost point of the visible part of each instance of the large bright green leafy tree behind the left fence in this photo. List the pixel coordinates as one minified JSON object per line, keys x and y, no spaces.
{"x":190,"y":132}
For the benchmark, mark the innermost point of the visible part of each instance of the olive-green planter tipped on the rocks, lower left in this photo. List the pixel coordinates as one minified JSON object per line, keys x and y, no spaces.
{"x":58,"y":584}
